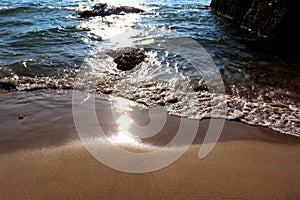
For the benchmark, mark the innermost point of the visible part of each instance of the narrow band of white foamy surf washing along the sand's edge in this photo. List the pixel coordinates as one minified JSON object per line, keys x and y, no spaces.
{"x":278,"y":116}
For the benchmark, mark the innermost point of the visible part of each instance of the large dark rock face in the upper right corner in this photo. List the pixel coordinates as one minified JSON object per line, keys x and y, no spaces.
{"x":275,"y":20}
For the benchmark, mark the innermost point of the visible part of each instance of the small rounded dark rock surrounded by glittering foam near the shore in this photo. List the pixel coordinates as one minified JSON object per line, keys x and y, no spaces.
{"x":129,"y":58}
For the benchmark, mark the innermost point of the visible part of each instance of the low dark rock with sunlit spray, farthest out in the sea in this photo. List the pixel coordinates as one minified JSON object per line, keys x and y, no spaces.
{"x":103,"y":9}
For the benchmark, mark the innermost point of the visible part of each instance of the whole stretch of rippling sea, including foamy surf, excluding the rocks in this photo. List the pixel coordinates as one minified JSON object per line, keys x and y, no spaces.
{"x":45,"y":45}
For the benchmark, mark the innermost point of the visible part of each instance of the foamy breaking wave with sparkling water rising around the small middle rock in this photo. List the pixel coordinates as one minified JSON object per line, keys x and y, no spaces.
{"x":152,"y":83}
